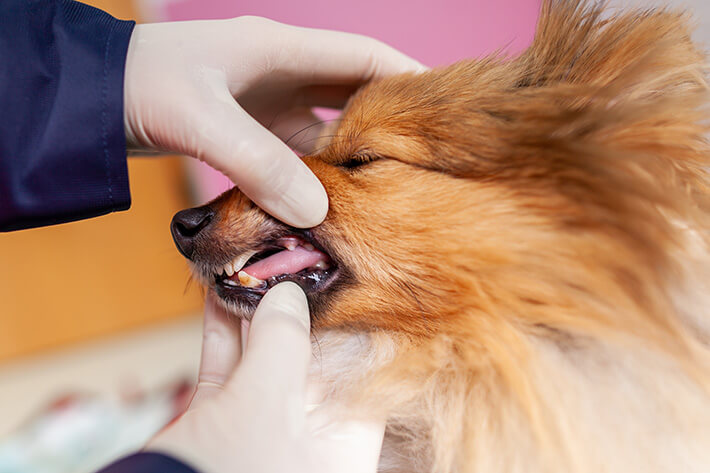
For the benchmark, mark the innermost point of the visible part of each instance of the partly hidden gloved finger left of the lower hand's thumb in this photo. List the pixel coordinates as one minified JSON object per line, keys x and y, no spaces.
{"x":221,"y":350}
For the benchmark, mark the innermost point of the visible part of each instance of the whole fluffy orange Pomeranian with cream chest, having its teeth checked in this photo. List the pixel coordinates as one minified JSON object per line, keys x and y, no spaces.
{"x":515,"y":267}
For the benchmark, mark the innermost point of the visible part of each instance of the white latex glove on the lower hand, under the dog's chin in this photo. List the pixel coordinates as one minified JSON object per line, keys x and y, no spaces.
{"x":254,"y":418}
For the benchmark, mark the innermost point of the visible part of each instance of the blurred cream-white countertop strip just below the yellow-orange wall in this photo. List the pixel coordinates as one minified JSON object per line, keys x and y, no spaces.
{"x":141,"y":360}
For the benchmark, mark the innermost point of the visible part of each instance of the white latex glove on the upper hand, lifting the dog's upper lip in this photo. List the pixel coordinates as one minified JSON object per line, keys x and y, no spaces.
{"x":182,"y":80}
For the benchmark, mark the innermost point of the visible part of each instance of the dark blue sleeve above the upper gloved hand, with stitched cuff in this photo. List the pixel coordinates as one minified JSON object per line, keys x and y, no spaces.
{"x":62,"y":138}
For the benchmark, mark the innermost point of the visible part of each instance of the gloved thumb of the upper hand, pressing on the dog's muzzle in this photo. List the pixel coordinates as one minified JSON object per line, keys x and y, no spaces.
{"x":259,"y":163}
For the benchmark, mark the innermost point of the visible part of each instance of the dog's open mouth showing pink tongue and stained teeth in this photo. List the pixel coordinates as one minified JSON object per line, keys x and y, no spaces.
{"x":293,"y":257}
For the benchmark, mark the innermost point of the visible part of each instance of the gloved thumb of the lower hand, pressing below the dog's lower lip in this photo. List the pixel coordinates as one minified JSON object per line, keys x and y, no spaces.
{"x":279,"y":348}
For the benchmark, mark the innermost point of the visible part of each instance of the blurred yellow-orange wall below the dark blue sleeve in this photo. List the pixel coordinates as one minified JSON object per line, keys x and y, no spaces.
{"x":72,"y":282}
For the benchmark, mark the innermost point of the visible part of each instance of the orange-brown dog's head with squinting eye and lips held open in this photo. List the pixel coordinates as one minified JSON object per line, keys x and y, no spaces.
{"x":514,"y":189}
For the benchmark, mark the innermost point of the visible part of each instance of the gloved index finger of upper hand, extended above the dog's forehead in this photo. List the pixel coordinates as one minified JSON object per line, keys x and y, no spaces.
{"x":336,"y":57}
